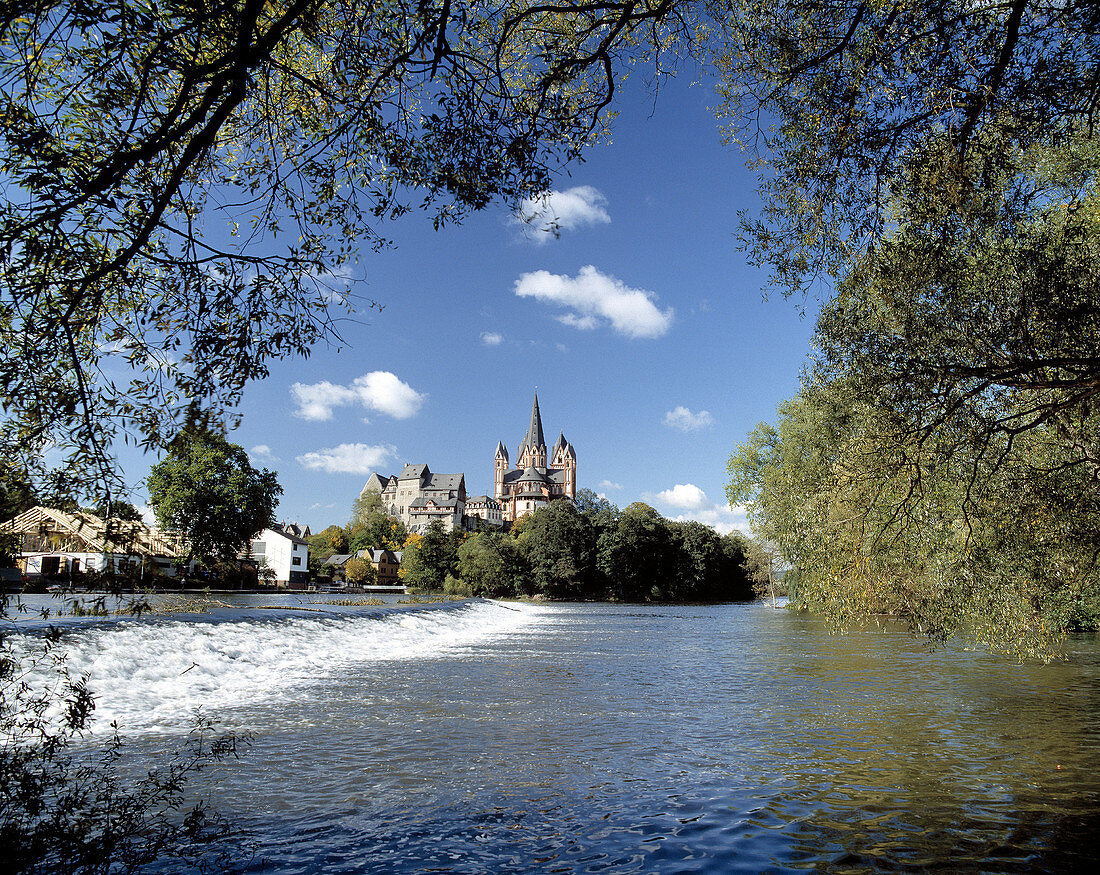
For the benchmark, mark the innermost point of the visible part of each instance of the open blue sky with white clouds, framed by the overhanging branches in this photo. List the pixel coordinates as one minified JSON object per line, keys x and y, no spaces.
{"x":642,"y":325}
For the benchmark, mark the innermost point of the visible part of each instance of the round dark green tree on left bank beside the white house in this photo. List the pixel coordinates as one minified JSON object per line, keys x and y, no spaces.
{"x":207,"y":490}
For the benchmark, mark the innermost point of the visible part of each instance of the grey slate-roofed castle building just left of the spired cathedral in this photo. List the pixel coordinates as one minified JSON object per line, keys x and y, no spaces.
{"x":419,"y":498}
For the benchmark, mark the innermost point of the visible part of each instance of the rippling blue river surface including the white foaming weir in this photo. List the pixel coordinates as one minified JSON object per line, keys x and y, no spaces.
{"x":491,"y":738}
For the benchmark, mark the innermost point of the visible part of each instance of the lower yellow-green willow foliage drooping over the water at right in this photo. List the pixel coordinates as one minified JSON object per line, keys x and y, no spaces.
{"x":873,"y":528}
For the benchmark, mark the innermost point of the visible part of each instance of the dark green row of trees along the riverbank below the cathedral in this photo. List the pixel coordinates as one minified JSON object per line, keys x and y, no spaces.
{"x":588,"y":552}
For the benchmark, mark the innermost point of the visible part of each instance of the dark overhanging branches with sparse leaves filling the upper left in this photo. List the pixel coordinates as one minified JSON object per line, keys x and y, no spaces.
{"x":184,"y":183}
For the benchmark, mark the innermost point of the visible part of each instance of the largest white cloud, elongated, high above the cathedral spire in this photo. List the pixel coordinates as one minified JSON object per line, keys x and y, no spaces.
{"x":595,"y":298}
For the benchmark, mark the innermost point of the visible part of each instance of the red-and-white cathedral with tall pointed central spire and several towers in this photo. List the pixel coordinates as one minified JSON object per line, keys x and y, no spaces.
{"x":538,"y":477}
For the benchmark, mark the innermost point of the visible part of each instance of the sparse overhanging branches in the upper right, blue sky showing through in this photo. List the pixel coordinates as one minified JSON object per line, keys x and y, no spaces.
{"x":851,"y":105}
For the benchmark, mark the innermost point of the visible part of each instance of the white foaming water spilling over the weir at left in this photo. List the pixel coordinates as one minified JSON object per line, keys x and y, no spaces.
{"x":157,"y":676}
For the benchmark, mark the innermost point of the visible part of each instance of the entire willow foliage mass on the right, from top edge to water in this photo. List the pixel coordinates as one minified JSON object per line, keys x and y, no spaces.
{"x":932,"y":173}
